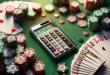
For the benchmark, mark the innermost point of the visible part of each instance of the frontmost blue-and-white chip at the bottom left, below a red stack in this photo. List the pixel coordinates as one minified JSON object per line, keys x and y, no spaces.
{"x":13,"y":69}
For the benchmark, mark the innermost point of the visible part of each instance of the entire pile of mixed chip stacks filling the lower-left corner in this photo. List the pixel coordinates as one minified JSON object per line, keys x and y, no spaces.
{"x":15,"y":59}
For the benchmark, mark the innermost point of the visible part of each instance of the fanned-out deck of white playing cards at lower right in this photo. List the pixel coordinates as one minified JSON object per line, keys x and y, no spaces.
{"x":93,"y":57}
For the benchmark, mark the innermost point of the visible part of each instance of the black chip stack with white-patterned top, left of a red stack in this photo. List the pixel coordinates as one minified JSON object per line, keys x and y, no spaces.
{"x":11,"y":41}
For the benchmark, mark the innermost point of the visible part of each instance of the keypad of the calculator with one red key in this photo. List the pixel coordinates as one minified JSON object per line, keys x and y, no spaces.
{"x":56,"y":42}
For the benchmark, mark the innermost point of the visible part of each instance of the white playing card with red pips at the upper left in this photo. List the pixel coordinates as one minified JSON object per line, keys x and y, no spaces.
{"x":8,"y":25}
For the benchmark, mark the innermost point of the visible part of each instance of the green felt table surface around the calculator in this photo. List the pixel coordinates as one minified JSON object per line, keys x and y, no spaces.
{"x":72,"y":30}
